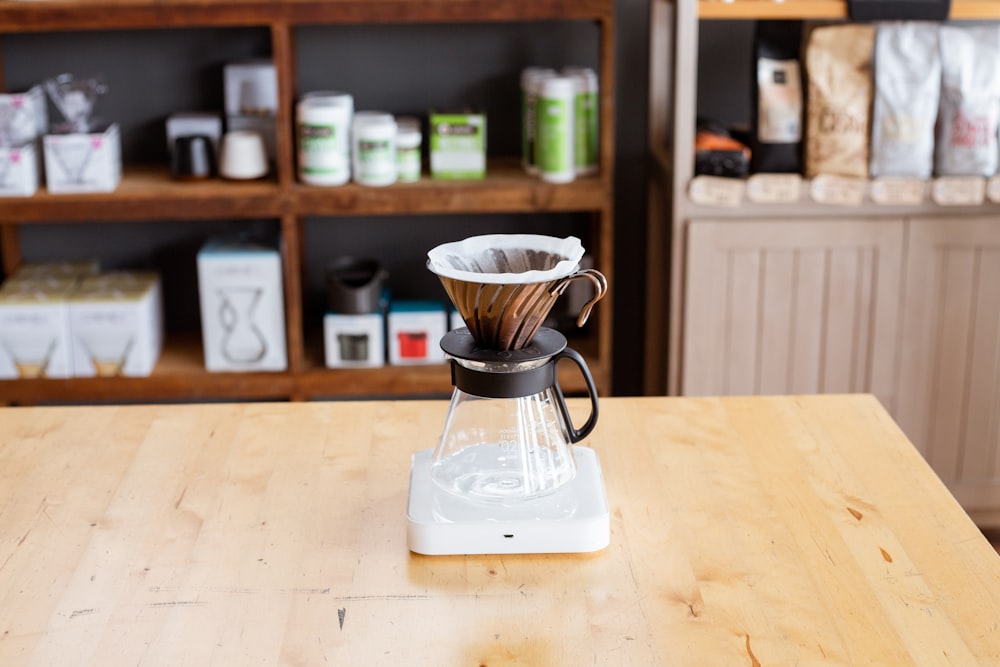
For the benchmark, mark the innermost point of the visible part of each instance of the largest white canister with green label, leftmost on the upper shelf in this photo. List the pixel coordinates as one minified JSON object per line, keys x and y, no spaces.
{"x":323,"y":122}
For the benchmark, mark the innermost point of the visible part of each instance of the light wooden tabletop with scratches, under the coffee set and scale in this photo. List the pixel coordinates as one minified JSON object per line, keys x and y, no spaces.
{"x":744,"y":531}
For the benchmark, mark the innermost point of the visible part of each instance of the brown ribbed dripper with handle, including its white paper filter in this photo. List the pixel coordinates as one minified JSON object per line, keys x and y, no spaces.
{"x":504,"y":309}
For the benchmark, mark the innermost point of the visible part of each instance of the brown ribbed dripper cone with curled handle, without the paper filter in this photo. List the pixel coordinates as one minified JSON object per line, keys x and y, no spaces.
{"x":507,"y":317}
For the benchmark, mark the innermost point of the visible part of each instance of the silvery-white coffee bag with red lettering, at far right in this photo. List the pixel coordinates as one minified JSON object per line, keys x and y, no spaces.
{"x":970,"y":101}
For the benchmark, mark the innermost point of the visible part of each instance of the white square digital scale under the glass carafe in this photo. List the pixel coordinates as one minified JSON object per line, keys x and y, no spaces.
{"x":572,"y":519}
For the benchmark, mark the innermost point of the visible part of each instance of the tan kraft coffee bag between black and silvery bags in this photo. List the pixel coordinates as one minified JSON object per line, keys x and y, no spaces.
{"x":838,"y":66}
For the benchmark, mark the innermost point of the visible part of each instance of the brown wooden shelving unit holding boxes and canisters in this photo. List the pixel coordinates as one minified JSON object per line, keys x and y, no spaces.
{"x":148,"y":194}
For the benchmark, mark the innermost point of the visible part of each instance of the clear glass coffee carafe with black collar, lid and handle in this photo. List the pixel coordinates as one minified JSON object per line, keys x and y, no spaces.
{"x":508,"y":433}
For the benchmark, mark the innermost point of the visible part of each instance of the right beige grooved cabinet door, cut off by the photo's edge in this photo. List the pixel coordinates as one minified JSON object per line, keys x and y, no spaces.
{"x":950,"y":375}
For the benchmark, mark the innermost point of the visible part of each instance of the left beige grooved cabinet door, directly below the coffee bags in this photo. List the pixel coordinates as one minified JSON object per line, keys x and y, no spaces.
{"x":796,"y":306}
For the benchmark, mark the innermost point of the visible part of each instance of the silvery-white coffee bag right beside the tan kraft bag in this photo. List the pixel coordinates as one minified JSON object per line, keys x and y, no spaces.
{"x":907,"y":87}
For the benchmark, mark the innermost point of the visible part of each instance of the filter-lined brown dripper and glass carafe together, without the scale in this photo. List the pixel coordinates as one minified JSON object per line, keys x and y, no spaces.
{"x":508,"y":435}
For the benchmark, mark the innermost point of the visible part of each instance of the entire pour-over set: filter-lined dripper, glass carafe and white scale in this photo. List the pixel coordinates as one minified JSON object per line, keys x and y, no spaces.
{"x":507,"y":475}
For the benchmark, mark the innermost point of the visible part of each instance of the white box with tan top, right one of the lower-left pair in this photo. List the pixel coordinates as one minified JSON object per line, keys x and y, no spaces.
{"x":116,"y":324}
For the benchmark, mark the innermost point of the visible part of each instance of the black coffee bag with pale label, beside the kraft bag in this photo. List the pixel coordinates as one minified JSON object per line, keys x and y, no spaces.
{"x":776,"y":121}
